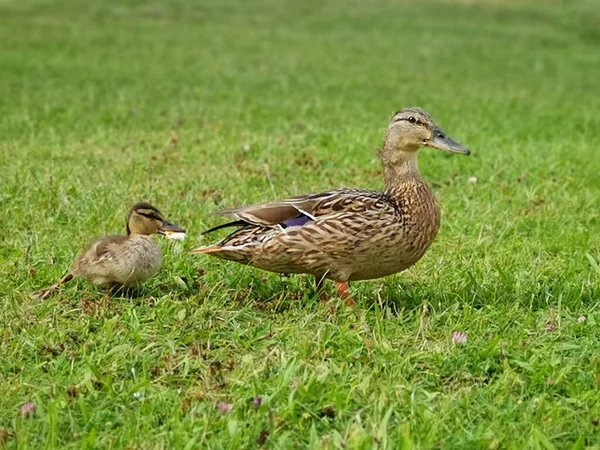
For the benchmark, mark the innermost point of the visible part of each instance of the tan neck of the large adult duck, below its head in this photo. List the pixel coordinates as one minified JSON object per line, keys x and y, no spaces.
{"x":400,"y":168}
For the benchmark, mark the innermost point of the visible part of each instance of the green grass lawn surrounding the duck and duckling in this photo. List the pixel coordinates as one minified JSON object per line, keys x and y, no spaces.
{"x":103,"y":104}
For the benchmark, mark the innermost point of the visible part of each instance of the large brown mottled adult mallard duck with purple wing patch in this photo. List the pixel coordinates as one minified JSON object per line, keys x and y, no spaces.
{"x":347,"y":234}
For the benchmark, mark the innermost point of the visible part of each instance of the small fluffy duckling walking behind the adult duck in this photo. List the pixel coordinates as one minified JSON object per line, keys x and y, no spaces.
{"x":126,"y":261}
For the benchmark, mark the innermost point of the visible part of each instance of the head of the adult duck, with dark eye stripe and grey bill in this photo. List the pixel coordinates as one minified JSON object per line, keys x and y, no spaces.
{"x":412,"y":128}
